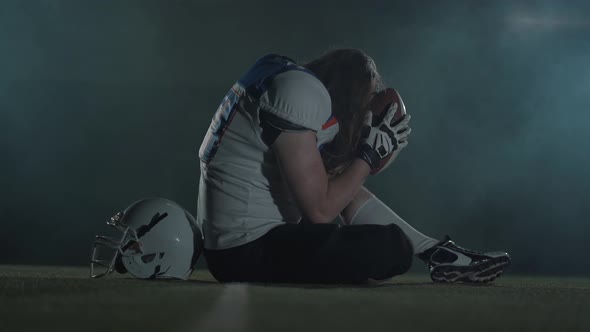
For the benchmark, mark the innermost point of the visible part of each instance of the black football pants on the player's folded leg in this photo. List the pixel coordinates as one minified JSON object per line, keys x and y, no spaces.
{"x":316,"y":253}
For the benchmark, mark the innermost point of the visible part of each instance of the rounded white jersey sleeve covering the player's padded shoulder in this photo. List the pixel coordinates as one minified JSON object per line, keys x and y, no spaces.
{"x":298,"y":98}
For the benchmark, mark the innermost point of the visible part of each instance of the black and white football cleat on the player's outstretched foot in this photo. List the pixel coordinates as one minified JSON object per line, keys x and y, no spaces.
{"x":448,"y":262}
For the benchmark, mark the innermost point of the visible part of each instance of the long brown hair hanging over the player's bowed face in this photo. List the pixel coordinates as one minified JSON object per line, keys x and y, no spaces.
{"x":348,"y":75}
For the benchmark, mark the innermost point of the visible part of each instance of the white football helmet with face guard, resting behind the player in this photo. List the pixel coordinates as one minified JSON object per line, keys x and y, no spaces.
{"x":160,"y":240}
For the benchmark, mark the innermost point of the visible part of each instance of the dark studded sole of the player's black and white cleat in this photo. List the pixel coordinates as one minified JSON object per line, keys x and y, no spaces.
{"x":484,"y":272}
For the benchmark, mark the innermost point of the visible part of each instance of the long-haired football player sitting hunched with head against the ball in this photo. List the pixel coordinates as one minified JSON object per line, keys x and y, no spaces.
{"x":287,"y":153}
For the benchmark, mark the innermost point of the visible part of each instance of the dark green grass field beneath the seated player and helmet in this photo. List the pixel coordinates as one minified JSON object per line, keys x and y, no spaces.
{"x":36,"y":298}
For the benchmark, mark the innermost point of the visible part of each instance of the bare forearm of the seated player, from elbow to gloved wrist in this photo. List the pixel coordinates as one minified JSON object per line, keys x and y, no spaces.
{"x":340,"y":191}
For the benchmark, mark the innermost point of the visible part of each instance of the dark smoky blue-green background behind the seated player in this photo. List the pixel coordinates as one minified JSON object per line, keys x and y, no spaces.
{"x":105,"y":102}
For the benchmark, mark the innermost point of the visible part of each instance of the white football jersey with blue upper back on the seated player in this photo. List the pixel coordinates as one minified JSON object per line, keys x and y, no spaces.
{"x":242,"y":194}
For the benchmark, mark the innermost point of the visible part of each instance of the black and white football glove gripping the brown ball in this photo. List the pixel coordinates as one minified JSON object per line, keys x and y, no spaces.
{"x":385,"y":138}
